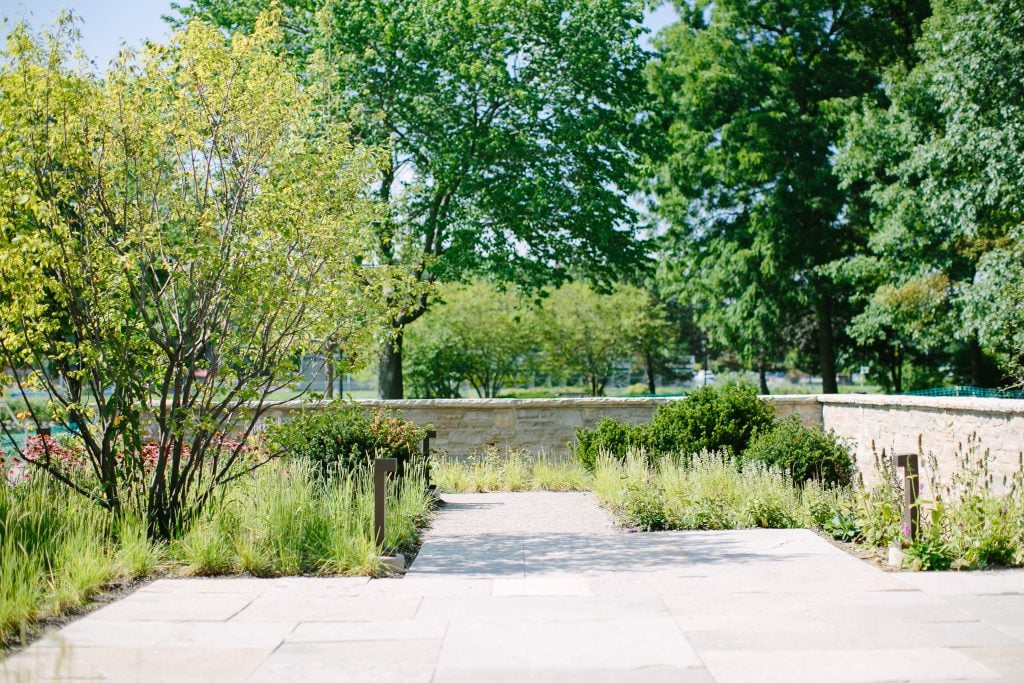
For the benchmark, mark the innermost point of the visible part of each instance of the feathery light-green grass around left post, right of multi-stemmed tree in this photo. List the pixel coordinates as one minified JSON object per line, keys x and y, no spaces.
{"x":287,"y":520}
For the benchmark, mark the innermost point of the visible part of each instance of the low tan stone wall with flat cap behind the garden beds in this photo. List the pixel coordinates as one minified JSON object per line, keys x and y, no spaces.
{"x":868,"y":423}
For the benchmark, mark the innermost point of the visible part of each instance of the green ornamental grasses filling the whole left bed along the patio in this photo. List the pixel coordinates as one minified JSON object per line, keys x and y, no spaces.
{"x":58,"y":549}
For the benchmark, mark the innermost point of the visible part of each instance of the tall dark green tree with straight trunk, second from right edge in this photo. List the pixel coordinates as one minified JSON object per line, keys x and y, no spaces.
{"x":747,"y":91}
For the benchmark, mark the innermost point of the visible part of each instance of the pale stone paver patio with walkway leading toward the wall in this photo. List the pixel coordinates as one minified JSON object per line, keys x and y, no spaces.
{"x":541,"y":587}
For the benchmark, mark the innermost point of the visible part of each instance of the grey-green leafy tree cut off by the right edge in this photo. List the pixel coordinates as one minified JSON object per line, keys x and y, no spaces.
{"x":938,"y":164}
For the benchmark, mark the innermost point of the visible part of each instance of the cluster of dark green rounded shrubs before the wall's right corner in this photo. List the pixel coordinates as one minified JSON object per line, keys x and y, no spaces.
{"x":730,"y":420}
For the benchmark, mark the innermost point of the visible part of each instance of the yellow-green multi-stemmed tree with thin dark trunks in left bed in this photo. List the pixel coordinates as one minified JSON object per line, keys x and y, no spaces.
{"x":173,"y":238}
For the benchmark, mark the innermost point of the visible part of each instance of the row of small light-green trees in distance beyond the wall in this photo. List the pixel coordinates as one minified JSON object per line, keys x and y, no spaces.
{"x":487,"y":338}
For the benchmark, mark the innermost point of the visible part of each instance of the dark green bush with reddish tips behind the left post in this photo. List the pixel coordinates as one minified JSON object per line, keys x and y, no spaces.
{"x":342,"y":439}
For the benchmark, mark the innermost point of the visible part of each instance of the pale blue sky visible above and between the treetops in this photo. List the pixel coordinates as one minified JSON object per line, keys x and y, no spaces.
{"x":109,"y":23}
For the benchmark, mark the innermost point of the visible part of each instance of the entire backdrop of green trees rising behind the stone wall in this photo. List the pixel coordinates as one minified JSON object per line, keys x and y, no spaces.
{"x":831,"y":184}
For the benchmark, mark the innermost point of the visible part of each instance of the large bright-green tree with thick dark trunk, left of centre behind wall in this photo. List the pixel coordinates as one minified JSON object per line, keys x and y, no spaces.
{"x":513,"y":126}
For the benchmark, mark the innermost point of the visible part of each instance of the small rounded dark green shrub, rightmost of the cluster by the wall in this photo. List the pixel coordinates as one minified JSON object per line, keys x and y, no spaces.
{"x":804,"y":452}
